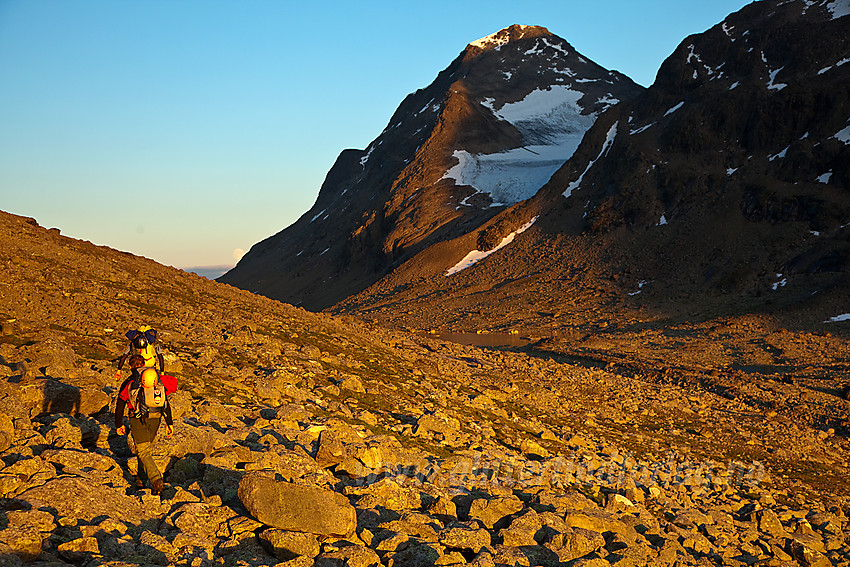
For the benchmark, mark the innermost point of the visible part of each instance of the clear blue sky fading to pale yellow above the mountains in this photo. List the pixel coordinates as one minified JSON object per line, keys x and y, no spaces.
{"x":187,"y":130}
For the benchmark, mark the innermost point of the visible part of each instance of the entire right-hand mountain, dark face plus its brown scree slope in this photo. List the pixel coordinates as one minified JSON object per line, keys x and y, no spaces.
{"x":720,"y":192}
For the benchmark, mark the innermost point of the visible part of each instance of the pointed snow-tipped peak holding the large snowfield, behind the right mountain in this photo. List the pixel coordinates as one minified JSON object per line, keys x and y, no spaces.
{"x":453,"y":155}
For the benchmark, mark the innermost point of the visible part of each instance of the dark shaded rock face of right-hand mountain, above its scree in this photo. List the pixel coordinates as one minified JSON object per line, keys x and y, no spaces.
{"x":737,"y":156}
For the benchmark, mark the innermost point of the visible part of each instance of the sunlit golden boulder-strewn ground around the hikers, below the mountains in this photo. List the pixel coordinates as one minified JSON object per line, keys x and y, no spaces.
{"x":311,"y":439}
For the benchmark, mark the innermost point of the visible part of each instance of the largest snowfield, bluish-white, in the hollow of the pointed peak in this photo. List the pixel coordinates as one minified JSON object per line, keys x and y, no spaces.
{"x":552,"y":125}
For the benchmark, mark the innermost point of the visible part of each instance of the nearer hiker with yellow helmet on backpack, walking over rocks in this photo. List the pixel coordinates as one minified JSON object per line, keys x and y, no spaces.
{"x":145,"y":394}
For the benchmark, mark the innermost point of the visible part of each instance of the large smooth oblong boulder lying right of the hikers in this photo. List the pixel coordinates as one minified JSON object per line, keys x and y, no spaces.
{"x":297,"y":508}
